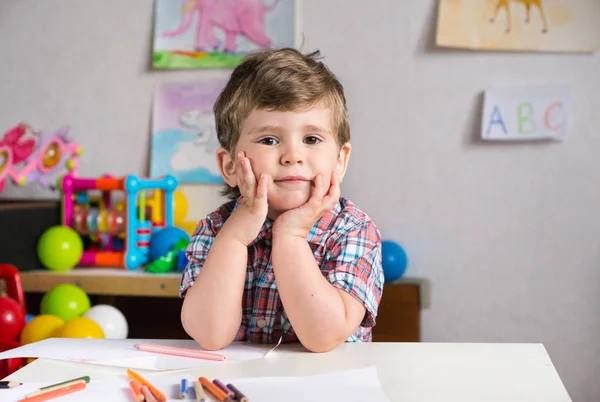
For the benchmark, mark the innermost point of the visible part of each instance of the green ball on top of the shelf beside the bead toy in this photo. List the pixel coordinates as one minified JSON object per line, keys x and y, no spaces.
{"x":60,"y":248}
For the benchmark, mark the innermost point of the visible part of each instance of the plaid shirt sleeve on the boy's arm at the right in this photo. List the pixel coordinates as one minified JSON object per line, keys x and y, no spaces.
{"x":355,"y":266}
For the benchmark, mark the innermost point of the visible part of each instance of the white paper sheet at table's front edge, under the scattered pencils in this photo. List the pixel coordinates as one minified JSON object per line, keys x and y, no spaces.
{"x":348,"y":386}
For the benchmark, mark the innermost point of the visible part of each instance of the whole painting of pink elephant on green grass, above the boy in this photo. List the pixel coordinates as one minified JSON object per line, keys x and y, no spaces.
{"x":191,"y":34}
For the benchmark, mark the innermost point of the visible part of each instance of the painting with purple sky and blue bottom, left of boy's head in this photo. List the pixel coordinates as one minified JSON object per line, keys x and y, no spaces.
{"x":184,"y":139}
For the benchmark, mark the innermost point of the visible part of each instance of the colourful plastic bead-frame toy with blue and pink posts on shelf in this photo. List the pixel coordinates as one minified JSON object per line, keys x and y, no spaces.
{"x":116,"y":218}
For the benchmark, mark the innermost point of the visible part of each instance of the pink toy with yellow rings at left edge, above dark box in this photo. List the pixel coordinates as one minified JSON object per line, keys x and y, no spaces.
{"x":39,"y":159}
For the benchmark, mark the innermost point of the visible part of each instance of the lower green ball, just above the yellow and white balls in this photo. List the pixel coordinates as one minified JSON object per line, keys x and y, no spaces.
{"x":65,"y":301}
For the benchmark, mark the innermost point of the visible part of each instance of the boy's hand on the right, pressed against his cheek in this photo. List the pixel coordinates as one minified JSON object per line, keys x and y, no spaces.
{"x":300,"y":221}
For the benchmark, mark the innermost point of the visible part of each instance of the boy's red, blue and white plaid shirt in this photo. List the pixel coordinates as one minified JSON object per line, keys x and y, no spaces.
{"x":346,"y":245}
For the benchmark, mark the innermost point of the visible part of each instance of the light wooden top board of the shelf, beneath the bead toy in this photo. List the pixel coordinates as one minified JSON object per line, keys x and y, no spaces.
{"x":105,"y":281}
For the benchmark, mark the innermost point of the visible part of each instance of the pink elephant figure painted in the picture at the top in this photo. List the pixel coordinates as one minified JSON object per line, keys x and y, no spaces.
{"x":234,"y":17}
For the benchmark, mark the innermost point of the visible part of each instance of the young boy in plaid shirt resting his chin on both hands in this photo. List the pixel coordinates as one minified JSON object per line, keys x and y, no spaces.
{"x":287,"y":258}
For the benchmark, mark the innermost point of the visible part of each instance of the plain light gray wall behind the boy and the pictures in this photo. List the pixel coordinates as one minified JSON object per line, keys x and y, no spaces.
{"x":508,"y":234}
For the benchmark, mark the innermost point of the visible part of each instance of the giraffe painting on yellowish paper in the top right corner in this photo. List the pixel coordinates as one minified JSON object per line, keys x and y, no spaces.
{"x":521,"y":25}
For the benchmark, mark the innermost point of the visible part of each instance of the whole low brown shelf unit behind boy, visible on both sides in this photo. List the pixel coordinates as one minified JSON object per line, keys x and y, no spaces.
{"x":131,"y":291}
